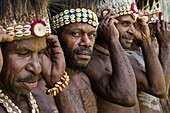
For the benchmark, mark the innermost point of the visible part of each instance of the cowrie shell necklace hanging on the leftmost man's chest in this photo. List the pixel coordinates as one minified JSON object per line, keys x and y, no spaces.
{"x":12,"y":108}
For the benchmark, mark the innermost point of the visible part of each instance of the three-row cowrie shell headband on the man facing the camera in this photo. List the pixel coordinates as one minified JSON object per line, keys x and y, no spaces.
{"x":75,"y":16}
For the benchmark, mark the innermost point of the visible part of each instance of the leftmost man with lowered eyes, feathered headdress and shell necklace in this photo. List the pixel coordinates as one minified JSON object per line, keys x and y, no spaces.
{"x":26,"y":23}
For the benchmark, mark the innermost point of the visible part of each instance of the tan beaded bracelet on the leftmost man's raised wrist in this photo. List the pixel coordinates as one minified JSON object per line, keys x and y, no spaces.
{"x":59,"y":85}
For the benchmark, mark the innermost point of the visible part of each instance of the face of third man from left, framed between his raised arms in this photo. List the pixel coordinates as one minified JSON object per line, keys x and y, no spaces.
{"x":126,"y":29}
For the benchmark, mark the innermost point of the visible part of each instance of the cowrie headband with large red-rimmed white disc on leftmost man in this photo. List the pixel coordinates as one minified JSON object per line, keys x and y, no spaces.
{"x":38,"y":28}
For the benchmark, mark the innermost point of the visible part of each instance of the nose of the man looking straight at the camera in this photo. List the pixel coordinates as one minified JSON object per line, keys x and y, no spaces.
{"x":86,"y":41}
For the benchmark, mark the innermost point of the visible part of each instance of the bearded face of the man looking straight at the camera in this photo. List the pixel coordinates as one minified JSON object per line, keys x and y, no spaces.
{"x":77,"y":41}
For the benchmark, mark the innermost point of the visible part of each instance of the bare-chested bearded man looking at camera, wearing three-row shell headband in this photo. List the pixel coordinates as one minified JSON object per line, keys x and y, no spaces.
{"x":77,"y":37}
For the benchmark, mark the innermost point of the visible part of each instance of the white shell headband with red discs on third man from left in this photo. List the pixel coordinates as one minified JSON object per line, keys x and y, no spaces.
{"x":122,"y":9}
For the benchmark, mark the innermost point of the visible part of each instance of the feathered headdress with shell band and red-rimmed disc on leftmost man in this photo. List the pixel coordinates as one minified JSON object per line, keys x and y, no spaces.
{"x":24,"y":18}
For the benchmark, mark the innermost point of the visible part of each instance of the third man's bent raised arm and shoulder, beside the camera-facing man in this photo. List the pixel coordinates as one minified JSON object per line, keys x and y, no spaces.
{"x":104,"y":80}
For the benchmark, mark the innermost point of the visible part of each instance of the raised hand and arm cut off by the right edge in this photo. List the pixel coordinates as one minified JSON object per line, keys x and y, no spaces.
{"x":163,"y":37}
